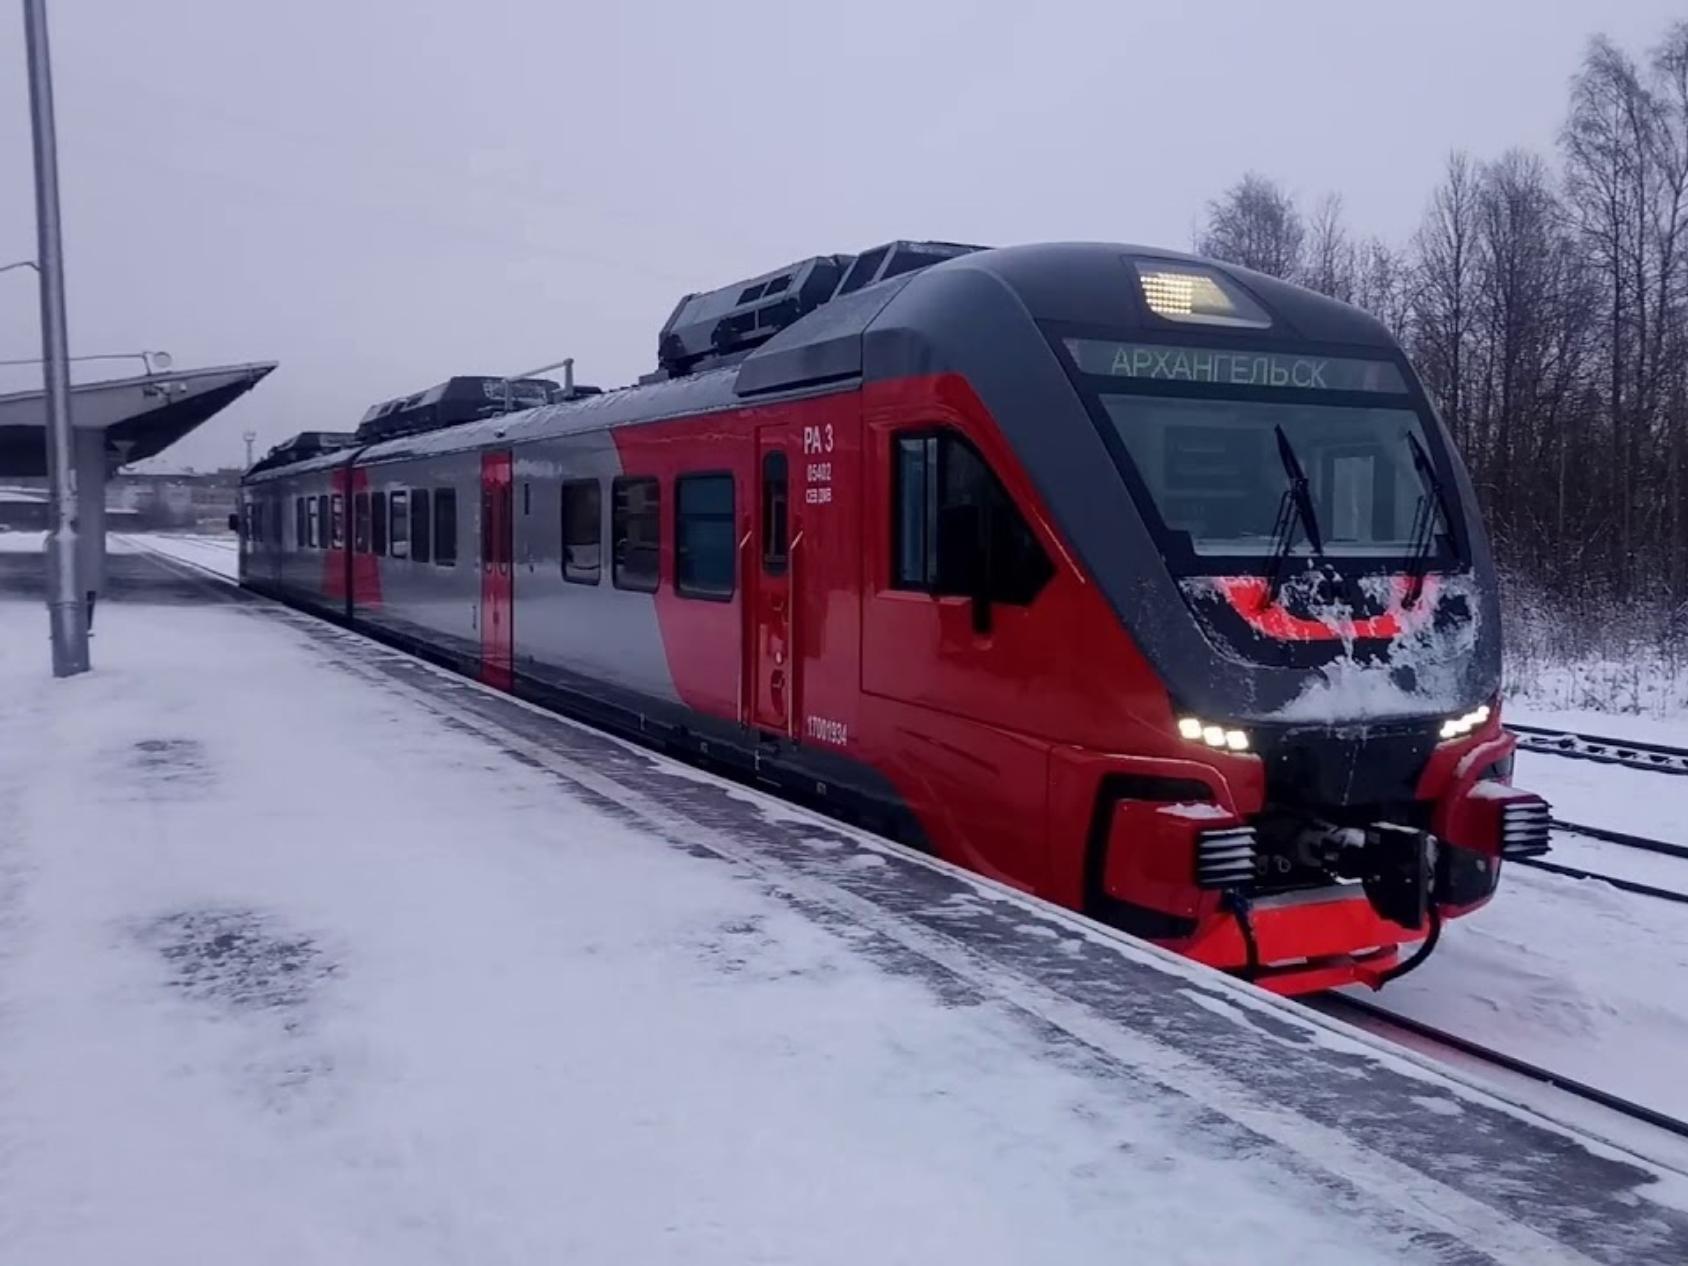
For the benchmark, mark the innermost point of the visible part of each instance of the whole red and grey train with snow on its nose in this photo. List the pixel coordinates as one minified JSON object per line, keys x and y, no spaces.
{"x":1132,"y":580}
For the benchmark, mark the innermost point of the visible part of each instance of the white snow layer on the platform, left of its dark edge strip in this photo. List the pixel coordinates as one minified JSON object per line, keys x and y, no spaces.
{"x":295,"y":978}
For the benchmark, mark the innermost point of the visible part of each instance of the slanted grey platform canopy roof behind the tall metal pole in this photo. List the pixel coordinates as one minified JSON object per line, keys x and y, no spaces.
{"x":139,"y":418}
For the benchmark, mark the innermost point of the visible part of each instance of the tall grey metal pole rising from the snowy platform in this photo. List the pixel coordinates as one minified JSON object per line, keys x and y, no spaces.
{"x":67,"y":614}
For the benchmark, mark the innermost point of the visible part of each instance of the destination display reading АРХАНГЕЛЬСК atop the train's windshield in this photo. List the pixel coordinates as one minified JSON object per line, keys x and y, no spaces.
{"x":1159,"y":362}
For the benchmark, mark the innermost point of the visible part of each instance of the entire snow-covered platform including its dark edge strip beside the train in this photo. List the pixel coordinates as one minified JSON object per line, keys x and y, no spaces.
{"x":315,"y":955}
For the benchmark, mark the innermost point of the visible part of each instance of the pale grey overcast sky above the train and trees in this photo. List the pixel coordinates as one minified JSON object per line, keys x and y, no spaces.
{"x":384,"y":193}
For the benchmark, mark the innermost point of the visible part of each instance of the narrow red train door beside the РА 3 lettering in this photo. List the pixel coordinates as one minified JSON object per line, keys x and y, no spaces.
{"x":771,"y":573}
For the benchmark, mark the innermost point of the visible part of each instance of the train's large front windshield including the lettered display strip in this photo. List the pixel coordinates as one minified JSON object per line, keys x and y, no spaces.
{"x":1215,"y":441}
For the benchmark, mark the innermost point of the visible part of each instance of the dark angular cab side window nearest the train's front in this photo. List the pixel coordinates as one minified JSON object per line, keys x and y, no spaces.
{"x":956,"y":531}
